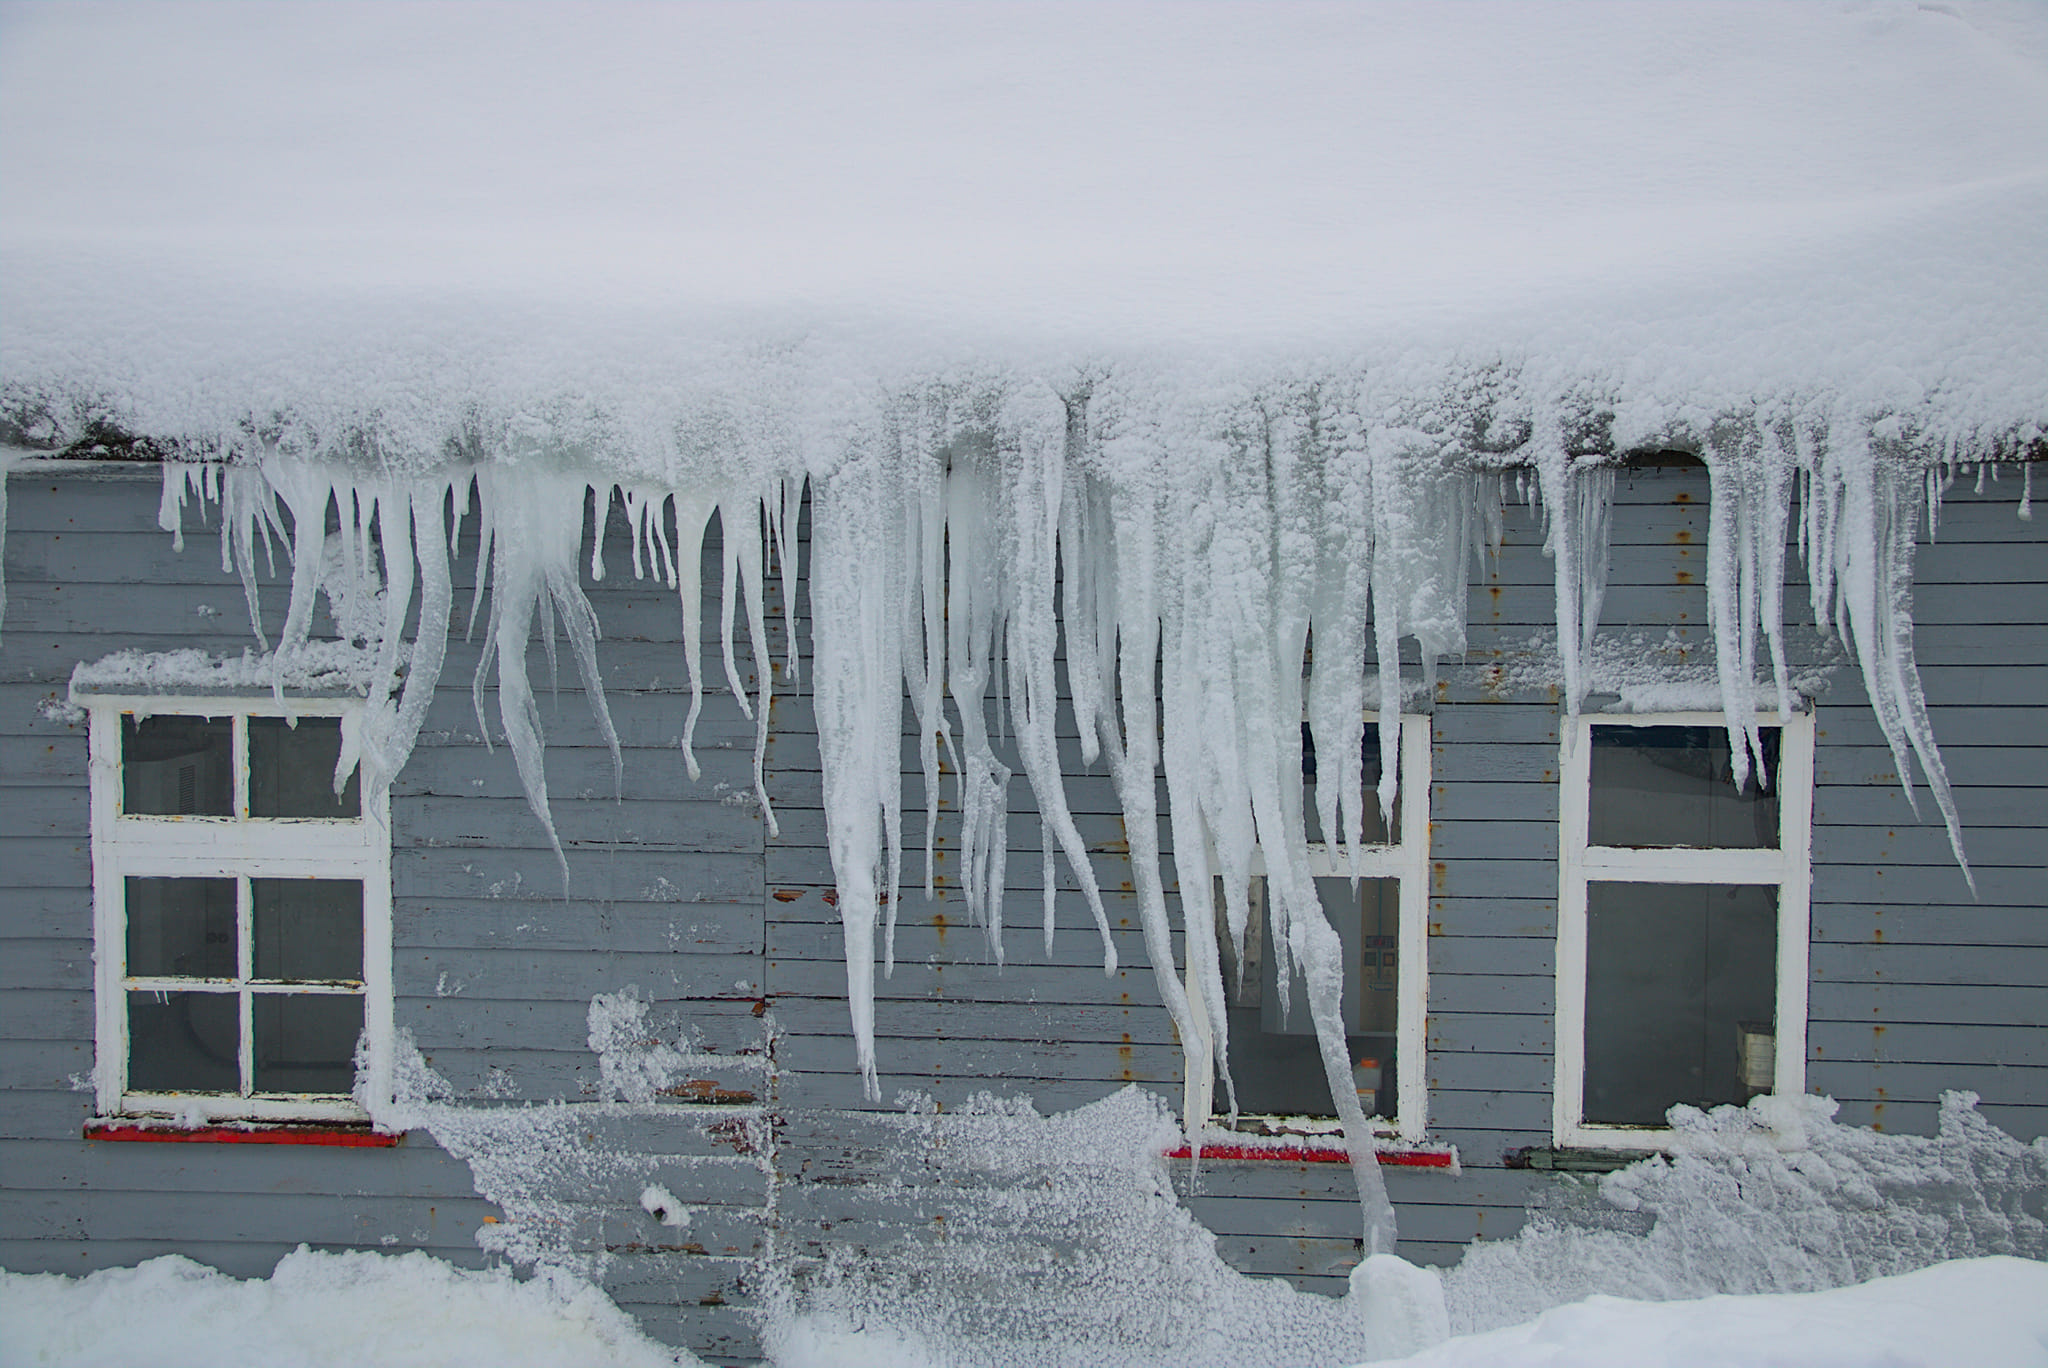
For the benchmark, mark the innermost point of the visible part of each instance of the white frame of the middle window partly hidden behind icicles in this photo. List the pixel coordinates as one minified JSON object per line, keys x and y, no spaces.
{"x":1408,"y":865}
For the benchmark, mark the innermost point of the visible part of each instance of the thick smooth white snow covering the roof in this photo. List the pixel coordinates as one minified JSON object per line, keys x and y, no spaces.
{"x":402,"y":216}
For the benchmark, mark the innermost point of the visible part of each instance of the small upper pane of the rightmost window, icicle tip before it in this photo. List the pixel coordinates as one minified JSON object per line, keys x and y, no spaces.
{"x":1676,"y":787}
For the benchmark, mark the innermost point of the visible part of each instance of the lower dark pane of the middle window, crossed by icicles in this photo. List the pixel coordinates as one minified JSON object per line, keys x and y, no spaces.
{"x":1275,"y":1060}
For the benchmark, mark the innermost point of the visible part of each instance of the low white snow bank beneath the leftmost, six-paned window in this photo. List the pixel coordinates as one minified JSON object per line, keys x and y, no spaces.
{"x":318,"y":1312}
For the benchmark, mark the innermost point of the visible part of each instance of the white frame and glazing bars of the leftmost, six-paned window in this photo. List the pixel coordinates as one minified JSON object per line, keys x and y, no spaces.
{"x":234,"y":847}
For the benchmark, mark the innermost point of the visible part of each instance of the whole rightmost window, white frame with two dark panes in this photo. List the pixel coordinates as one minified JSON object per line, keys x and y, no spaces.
{"x":1682,"y":923}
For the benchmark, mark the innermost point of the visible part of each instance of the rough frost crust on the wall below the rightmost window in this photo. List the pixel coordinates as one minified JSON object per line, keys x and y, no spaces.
{"x":1768,"y":1199}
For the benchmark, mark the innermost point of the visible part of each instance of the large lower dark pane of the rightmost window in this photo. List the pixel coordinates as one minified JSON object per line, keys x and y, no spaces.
{"x":1680,"y":996}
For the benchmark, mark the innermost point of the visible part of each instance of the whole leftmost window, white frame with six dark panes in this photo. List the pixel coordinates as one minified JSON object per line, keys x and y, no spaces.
{"x":253,"y":949}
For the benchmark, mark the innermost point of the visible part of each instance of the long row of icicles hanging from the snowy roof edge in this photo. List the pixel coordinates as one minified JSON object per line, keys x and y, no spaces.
{"x":1185,"y":574}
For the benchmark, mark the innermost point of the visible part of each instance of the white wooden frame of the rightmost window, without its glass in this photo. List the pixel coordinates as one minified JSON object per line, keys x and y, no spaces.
{"x":1789,"y":869}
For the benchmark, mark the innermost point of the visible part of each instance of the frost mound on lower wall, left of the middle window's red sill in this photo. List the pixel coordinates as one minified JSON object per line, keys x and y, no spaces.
{"x":1013,"y":1238}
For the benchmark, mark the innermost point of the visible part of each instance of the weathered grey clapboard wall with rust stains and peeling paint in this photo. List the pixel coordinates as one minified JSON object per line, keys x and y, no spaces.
{"x":732,"y":935}
